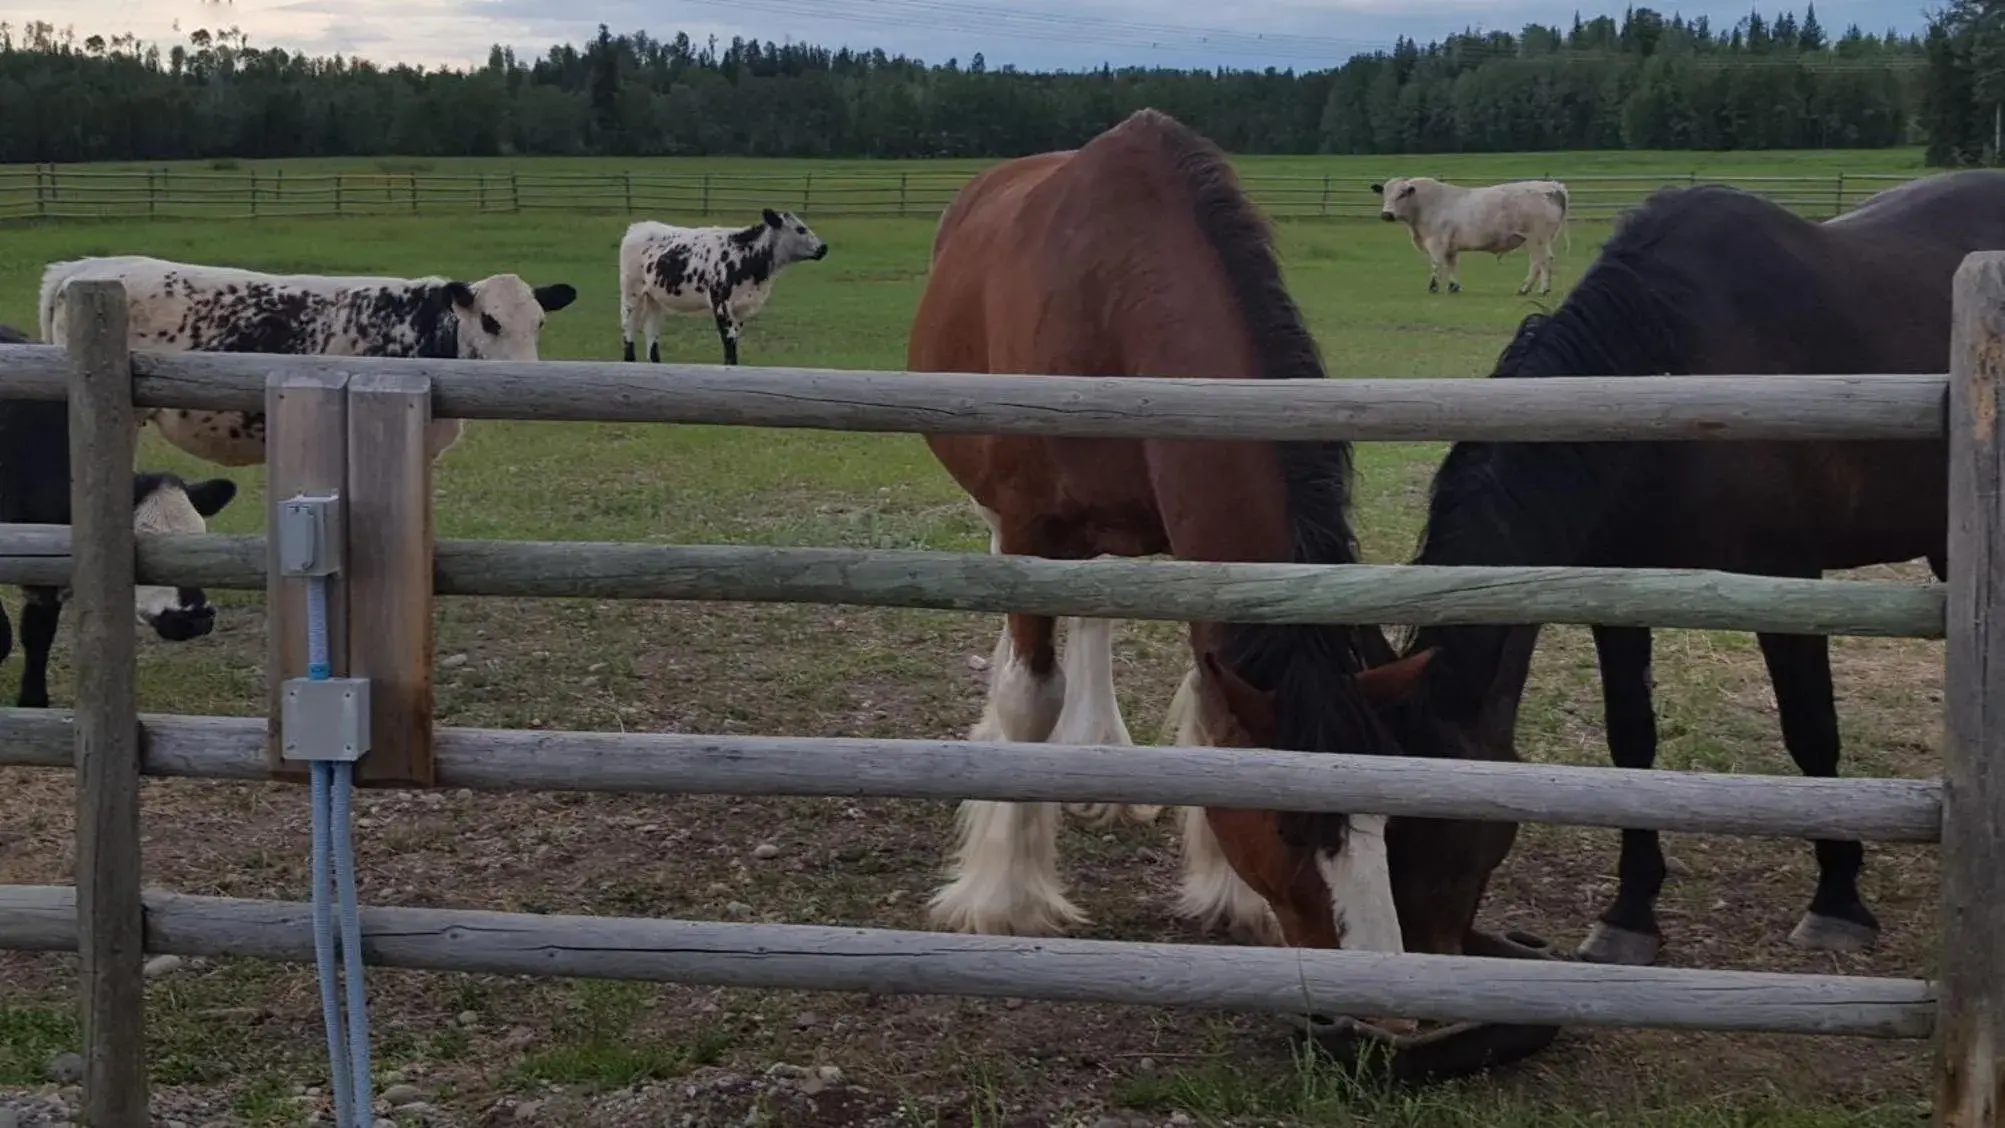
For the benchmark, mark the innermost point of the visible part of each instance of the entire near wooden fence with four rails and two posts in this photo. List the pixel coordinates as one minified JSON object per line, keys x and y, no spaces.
{"x":111,"y":923}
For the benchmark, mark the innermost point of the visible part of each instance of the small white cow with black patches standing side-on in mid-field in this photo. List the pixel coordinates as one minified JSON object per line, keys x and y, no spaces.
{"x":717,"y":271}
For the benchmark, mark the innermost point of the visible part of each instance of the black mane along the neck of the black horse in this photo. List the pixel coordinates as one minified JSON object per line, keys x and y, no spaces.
{"x":1549,"y":504}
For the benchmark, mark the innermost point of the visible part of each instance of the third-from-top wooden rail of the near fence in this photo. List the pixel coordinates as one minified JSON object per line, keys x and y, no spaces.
{"x":677,"y":764}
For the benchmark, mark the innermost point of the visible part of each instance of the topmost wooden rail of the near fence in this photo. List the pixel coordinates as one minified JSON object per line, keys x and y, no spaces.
{"x":1571,"y":410}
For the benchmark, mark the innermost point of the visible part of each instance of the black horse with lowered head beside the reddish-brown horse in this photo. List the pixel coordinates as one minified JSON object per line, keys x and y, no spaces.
{"x":1703,"y":281}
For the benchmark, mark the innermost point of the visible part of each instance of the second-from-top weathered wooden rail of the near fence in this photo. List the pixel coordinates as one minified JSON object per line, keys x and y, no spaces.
{"x":1112,"y":588}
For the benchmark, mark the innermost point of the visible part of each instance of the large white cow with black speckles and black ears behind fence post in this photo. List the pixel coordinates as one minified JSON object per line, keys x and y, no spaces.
{"x":224,"y":310}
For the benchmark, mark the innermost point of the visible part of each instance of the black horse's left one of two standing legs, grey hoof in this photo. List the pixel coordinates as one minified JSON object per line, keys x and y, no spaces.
{"x":1627,"y":931}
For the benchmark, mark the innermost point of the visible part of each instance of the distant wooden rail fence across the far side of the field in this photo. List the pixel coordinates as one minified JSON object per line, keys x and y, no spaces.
{"x":55,"y":193}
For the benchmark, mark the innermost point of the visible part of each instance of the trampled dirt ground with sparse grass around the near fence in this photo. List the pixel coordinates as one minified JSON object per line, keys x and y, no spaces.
{"x":240,"y":1043}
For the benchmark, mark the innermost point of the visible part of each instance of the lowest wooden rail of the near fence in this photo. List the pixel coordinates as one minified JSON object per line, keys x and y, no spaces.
{"x":793,"y":957}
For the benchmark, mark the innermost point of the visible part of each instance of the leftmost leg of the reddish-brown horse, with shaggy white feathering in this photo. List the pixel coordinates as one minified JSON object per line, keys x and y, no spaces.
{"x":1006,"y":871}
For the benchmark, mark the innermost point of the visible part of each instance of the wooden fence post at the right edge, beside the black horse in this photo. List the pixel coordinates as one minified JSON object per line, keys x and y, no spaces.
{"x":1972,"y":983}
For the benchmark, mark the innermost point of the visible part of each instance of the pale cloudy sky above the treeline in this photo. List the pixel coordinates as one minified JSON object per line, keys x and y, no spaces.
{"x":1028,"y":33}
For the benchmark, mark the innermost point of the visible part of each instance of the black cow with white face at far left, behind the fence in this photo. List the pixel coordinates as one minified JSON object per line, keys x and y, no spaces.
{"x":35,"y":490}
